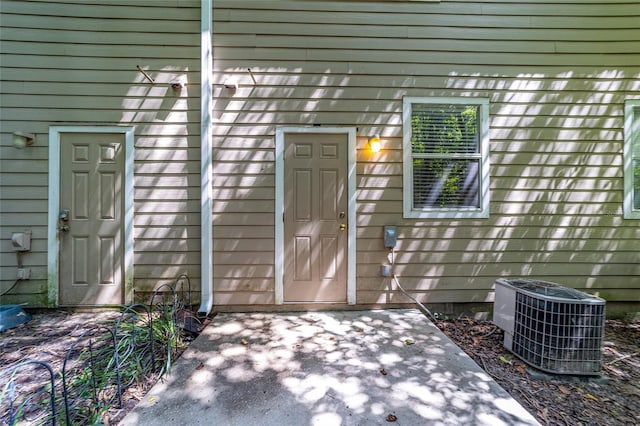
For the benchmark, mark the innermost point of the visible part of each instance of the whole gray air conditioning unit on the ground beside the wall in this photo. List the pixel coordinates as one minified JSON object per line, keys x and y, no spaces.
{"x":554,"y":328}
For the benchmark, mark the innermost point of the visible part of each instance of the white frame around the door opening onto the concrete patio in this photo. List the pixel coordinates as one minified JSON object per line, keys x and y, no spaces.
{"x":351,"y":206}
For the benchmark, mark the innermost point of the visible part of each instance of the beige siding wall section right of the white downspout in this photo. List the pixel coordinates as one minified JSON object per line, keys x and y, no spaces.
{"x":556,"y":73}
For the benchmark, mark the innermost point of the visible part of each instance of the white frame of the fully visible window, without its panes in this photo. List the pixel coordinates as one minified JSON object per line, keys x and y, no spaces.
{"x":451,"y":212}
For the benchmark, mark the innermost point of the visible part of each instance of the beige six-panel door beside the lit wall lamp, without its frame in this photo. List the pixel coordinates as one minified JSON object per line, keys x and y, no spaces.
{"x":315,"y":217}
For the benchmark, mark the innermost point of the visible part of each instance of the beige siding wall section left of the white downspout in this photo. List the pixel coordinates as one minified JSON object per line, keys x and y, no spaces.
{"x":67,"y":63}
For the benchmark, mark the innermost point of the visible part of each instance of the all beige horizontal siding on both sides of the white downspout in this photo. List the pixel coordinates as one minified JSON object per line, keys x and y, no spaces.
{"x":556,"y":74}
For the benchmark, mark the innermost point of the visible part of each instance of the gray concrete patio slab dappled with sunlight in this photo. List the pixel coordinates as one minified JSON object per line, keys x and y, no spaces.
{"x":326,"y":368}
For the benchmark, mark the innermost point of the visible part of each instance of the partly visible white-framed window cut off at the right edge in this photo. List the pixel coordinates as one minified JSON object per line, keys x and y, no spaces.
{"x":632,"y":159}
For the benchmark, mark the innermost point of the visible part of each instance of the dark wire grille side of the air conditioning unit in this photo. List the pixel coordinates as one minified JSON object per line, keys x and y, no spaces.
{"x":559,"y":336}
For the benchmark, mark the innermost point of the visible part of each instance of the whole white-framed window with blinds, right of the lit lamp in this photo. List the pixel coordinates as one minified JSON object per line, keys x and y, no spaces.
{"x":446,"y":157}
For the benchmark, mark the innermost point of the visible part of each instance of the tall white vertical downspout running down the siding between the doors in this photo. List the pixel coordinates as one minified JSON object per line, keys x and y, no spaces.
{"x":206,"y":154}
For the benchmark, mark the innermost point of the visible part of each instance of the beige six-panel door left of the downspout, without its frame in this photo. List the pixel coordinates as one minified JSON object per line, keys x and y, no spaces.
{"x":92,"y":238}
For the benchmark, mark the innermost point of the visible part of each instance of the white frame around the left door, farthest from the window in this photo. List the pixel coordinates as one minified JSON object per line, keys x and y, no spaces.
{"x":53,"y":246}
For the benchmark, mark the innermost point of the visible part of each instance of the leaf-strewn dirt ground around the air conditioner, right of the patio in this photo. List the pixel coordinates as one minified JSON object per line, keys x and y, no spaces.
{"x":611,"y":399}
